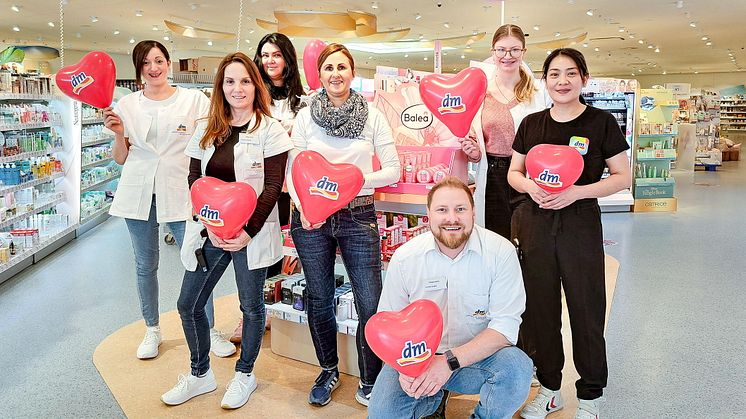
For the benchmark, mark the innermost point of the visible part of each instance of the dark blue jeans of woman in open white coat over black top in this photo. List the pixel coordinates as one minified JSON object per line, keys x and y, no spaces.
{"x":195,"y":292}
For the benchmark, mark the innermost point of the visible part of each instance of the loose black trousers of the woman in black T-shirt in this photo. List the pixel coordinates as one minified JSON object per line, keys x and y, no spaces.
{"x":563,"y":250}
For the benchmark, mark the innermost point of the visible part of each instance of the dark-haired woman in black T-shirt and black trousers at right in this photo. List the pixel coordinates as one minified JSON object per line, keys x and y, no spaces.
{"x":560,"y":236}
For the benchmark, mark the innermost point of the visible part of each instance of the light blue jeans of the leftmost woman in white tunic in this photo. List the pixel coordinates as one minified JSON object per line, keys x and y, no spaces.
{"x":145,"y":241}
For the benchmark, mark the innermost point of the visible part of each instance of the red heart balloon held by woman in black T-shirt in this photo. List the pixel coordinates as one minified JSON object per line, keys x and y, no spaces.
{"x":554,"y":167}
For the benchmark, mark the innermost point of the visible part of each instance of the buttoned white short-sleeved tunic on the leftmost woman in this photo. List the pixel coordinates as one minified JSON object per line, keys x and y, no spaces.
{"x":163,"y":169}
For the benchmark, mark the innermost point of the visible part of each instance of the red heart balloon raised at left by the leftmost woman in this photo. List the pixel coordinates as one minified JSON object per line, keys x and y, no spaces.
{"x":90,"y":81}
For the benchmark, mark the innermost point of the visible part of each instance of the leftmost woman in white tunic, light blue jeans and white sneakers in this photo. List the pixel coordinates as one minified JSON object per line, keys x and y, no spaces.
{"x":152,"y":128}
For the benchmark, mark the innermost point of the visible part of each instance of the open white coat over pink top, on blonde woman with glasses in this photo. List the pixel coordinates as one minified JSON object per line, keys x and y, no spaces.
{"x":539,"y":102}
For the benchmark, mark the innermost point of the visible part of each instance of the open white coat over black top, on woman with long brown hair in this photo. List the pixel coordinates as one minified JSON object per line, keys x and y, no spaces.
{"x":270,"y":139}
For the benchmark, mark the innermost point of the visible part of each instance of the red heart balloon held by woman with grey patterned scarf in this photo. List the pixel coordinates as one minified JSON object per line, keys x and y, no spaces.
{"x":324,"y":188}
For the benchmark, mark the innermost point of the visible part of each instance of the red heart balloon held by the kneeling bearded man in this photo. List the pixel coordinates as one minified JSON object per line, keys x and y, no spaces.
{"x":406,"y":339}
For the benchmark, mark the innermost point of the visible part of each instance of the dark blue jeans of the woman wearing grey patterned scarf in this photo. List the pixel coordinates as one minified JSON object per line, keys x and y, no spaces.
{"x":355,"y":231}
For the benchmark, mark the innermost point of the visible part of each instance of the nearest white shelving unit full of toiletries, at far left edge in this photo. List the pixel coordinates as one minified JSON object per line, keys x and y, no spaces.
{"x":41,"y":144}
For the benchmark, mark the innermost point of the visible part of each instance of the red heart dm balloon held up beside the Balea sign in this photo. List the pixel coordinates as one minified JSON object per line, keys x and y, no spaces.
{"x":455,"y":100}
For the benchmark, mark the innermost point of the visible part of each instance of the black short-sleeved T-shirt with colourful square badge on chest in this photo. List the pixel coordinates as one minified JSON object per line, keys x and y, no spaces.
{"x":605,"y":137}
